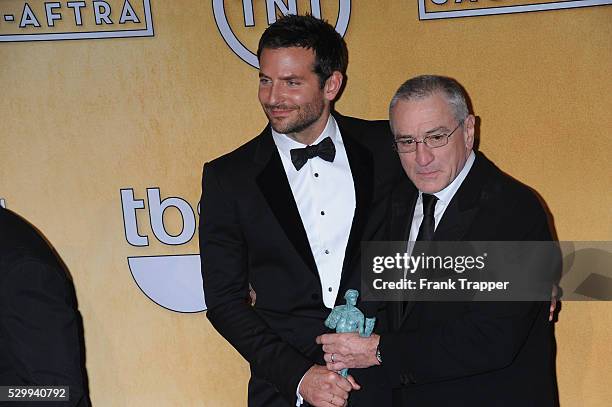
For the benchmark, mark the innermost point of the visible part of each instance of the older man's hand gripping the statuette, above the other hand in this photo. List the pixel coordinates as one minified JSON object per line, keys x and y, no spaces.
{"x":349,"y":350}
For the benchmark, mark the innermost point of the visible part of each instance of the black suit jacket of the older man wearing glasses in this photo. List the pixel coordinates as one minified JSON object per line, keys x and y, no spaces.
{"x":472,"y":353}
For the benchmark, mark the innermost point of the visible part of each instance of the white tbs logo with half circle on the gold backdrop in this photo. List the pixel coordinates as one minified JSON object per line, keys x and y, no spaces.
{"x":172,"y":281}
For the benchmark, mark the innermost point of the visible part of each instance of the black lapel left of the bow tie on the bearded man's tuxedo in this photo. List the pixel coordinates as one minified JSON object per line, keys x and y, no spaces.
{"x":273,"y":183}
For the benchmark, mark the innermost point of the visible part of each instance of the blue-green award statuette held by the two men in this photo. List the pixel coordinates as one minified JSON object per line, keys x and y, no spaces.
{"x":348,"y":318}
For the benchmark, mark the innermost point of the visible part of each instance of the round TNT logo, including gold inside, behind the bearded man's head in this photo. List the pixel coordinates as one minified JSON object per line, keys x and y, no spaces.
{"x":242,"y":22}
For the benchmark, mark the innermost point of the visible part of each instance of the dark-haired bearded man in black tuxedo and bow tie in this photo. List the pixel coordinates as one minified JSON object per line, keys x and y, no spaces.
{"x":286,"y":212}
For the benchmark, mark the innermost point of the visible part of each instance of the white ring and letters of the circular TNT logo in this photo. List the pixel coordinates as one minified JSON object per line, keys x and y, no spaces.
{"x":344,"y":14}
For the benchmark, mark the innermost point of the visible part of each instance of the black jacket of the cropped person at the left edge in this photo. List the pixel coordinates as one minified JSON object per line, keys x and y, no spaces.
{"x":41,"y":341}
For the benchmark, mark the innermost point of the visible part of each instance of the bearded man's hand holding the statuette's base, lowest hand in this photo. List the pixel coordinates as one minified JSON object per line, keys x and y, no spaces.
{"x":323,"y":388}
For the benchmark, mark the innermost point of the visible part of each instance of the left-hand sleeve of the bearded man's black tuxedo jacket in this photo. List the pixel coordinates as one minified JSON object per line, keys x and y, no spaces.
{"x":224,"y":258}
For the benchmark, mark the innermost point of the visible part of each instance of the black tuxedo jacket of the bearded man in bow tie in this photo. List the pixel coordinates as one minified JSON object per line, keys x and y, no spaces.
{"x":251,"y":232}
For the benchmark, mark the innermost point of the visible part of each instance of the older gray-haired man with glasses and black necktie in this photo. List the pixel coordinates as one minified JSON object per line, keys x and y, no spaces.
{"x":459,"y":353}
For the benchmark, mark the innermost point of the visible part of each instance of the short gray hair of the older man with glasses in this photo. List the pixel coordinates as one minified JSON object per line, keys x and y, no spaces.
{"x":426,"y":85}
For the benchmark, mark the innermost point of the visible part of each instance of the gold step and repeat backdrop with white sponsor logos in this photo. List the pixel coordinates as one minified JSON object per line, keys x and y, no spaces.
{"x":110,"y":108}
